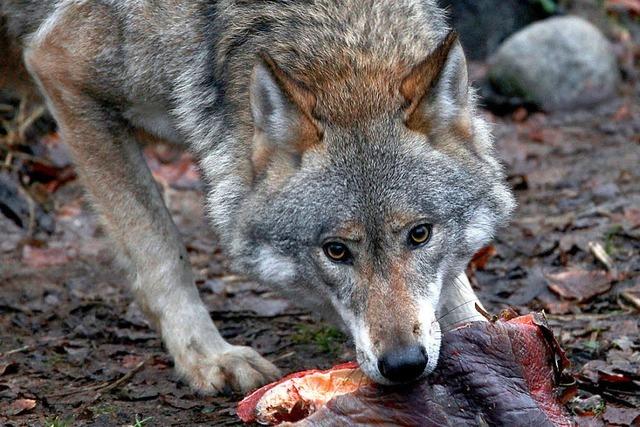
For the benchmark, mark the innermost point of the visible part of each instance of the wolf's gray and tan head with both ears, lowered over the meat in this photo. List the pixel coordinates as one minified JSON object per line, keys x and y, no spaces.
{"x":367,"y":220}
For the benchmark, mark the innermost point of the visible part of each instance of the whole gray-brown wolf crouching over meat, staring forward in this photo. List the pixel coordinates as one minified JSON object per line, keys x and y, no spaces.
{"x":345,"y":162}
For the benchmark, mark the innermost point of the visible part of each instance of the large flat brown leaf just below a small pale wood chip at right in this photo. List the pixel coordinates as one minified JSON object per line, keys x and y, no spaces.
{"x":580,"y":285}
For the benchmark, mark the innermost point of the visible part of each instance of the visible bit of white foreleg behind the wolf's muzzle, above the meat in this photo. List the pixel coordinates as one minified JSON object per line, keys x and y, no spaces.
{"x":458,"y":303}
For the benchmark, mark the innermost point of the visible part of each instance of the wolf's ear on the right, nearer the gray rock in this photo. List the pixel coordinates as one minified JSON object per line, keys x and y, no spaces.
{"x":436,"y":90}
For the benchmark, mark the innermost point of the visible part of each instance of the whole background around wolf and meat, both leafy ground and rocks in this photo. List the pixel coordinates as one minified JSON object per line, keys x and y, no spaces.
{"x":559,"y":78}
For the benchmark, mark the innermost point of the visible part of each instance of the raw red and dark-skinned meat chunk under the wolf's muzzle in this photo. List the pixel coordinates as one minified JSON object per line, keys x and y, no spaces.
{"x":502,"y":373}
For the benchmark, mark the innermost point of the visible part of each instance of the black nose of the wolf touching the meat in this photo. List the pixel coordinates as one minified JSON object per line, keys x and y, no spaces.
{"x":403,"y":364}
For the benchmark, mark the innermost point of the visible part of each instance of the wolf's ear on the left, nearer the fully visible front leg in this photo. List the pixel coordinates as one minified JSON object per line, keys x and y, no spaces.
{"x":283,"y":118}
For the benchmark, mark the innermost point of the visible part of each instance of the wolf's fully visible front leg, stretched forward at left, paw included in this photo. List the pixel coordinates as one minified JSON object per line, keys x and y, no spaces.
{"x":124,"y":193}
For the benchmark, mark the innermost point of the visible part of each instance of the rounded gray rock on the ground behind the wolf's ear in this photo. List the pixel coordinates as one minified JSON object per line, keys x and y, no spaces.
{"x":557,"y":64}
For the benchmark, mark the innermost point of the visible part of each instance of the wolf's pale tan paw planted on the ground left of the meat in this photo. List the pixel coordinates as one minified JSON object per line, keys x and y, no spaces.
{"x":237,"y":368}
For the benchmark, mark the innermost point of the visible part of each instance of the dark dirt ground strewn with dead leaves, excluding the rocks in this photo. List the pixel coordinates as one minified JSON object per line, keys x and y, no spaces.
{"x":75,"y":349}
